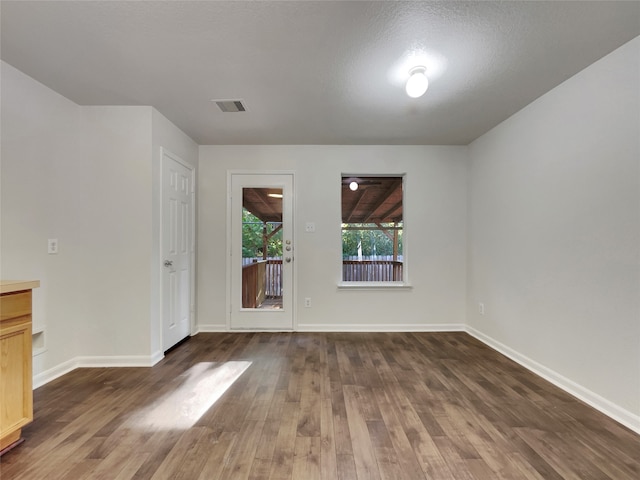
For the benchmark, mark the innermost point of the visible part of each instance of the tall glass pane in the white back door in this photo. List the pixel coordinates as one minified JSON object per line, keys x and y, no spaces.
{"x":262,"y":248}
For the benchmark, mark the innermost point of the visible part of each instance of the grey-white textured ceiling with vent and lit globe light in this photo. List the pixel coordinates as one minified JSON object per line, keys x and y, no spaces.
{"x":313,"y":72}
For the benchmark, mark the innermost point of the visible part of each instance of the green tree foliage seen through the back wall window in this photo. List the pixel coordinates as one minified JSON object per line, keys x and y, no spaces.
{"x":372,"y":242}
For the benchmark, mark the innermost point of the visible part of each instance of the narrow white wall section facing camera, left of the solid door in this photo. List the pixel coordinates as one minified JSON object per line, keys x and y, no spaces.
{"x":109,"y":193}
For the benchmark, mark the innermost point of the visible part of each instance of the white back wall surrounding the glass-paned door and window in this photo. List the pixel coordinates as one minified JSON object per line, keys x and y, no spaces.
{"x":435,"y":218}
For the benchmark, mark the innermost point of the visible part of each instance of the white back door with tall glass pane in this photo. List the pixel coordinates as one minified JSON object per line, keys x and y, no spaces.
{"x":261,"y":252}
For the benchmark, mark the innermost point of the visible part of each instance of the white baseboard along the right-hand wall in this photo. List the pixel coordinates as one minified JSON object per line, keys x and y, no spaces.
{"x":619,"y":414}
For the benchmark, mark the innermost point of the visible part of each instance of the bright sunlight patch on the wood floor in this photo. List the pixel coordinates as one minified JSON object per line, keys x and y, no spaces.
{"x":202,"y":386}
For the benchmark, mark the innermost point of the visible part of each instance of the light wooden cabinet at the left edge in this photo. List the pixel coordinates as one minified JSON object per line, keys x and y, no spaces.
{"x":16,"y":392}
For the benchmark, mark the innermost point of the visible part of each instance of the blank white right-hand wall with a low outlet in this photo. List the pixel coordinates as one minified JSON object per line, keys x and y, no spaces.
{"x":554,"y":234}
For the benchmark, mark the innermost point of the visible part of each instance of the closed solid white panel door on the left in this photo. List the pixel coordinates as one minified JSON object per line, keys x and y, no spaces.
{"x":177,"y":249}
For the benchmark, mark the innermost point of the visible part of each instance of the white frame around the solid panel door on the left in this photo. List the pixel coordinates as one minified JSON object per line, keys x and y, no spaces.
{"x":192,"y":248}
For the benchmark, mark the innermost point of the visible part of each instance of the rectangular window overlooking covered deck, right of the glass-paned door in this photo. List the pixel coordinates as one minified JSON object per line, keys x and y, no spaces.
{"x":372,"y":226}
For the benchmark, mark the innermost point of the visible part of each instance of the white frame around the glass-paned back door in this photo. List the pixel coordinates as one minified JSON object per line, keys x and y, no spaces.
{"x":229,"y":246}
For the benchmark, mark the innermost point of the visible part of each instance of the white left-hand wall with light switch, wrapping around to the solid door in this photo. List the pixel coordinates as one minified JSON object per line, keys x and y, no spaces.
{"x":89,"y":177}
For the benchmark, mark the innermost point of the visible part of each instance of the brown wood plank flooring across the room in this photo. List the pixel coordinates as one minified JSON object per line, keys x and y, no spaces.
{"x":305,"y":406}
